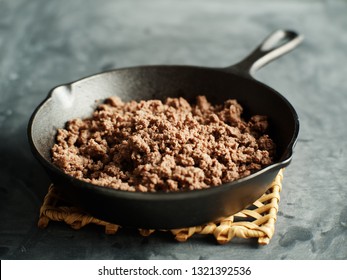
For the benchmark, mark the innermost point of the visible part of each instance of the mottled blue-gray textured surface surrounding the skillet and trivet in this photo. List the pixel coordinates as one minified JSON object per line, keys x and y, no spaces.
{"x":46,"y":43}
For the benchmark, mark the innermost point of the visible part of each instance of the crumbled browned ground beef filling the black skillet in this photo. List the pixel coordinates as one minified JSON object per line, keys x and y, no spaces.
{"x":149,"y":146}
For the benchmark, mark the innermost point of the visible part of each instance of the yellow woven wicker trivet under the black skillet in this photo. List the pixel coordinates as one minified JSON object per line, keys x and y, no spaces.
{"x":257,"y":221}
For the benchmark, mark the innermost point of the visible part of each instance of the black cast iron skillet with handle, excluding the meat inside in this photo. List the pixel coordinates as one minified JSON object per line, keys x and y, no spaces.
{"x":170,"y":210}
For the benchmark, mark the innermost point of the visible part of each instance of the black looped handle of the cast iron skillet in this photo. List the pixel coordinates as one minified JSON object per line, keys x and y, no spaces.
{"x":277,"y":44}
